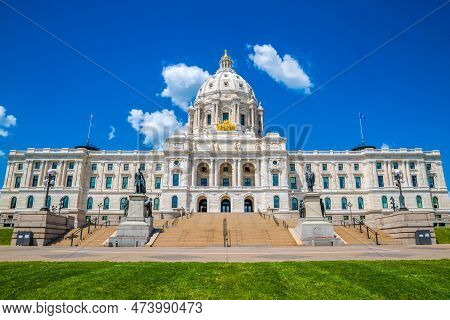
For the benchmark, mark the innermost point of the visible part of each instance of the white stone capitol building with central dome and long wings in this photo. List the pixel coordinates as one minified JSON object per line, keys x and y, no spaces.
{"x":224,"y":162}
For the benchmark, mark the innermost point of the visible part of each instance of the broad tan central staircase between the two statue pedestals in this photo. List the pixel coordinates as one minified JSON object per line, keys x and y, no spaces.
{"x":225,"y":229}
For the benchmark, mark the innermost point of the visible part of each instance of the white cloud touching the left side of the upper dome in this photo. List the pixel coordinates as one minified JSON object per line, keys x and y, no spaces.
{"x":182,"y":83}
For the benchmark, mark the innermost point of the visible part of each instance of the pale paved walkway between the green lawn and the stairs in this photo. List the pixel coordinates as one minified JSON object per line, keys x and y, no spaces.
{"x":235,"y":254}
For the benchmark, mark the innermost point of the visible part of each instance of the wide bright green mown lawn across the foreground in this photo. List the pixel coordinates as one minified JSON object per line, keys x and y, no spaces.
{"x":408,"y":279}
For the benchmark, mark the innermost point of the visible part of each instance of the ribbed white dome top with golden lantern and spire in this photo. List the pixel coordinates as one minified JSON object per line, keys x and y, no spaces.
{"x":226,"y":81}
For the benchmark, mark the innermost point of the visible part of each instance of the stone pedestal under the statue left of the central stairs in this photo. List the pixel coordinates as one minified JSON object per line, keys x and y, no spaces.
{"x":134,"y":230}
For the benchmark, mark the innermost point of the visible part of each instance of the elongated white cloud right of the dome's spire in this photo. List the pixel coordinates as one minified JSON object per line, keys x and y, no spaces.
{"x":286,"y":70}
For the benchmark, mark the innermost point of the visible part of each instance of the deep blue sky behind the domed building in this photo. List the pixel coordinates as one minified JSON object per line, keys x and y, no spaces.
{"x":403,"y":89}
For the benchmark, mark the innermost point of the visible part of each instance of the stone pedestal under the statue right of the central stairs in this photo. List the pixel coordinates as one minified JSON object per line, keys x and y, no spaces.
{"x":314,"y":230}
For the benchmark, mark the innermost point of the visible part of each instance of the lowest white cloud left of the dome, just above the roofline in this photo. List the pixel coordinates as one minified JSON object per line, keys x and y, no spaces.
{"x":156,"y":126}
